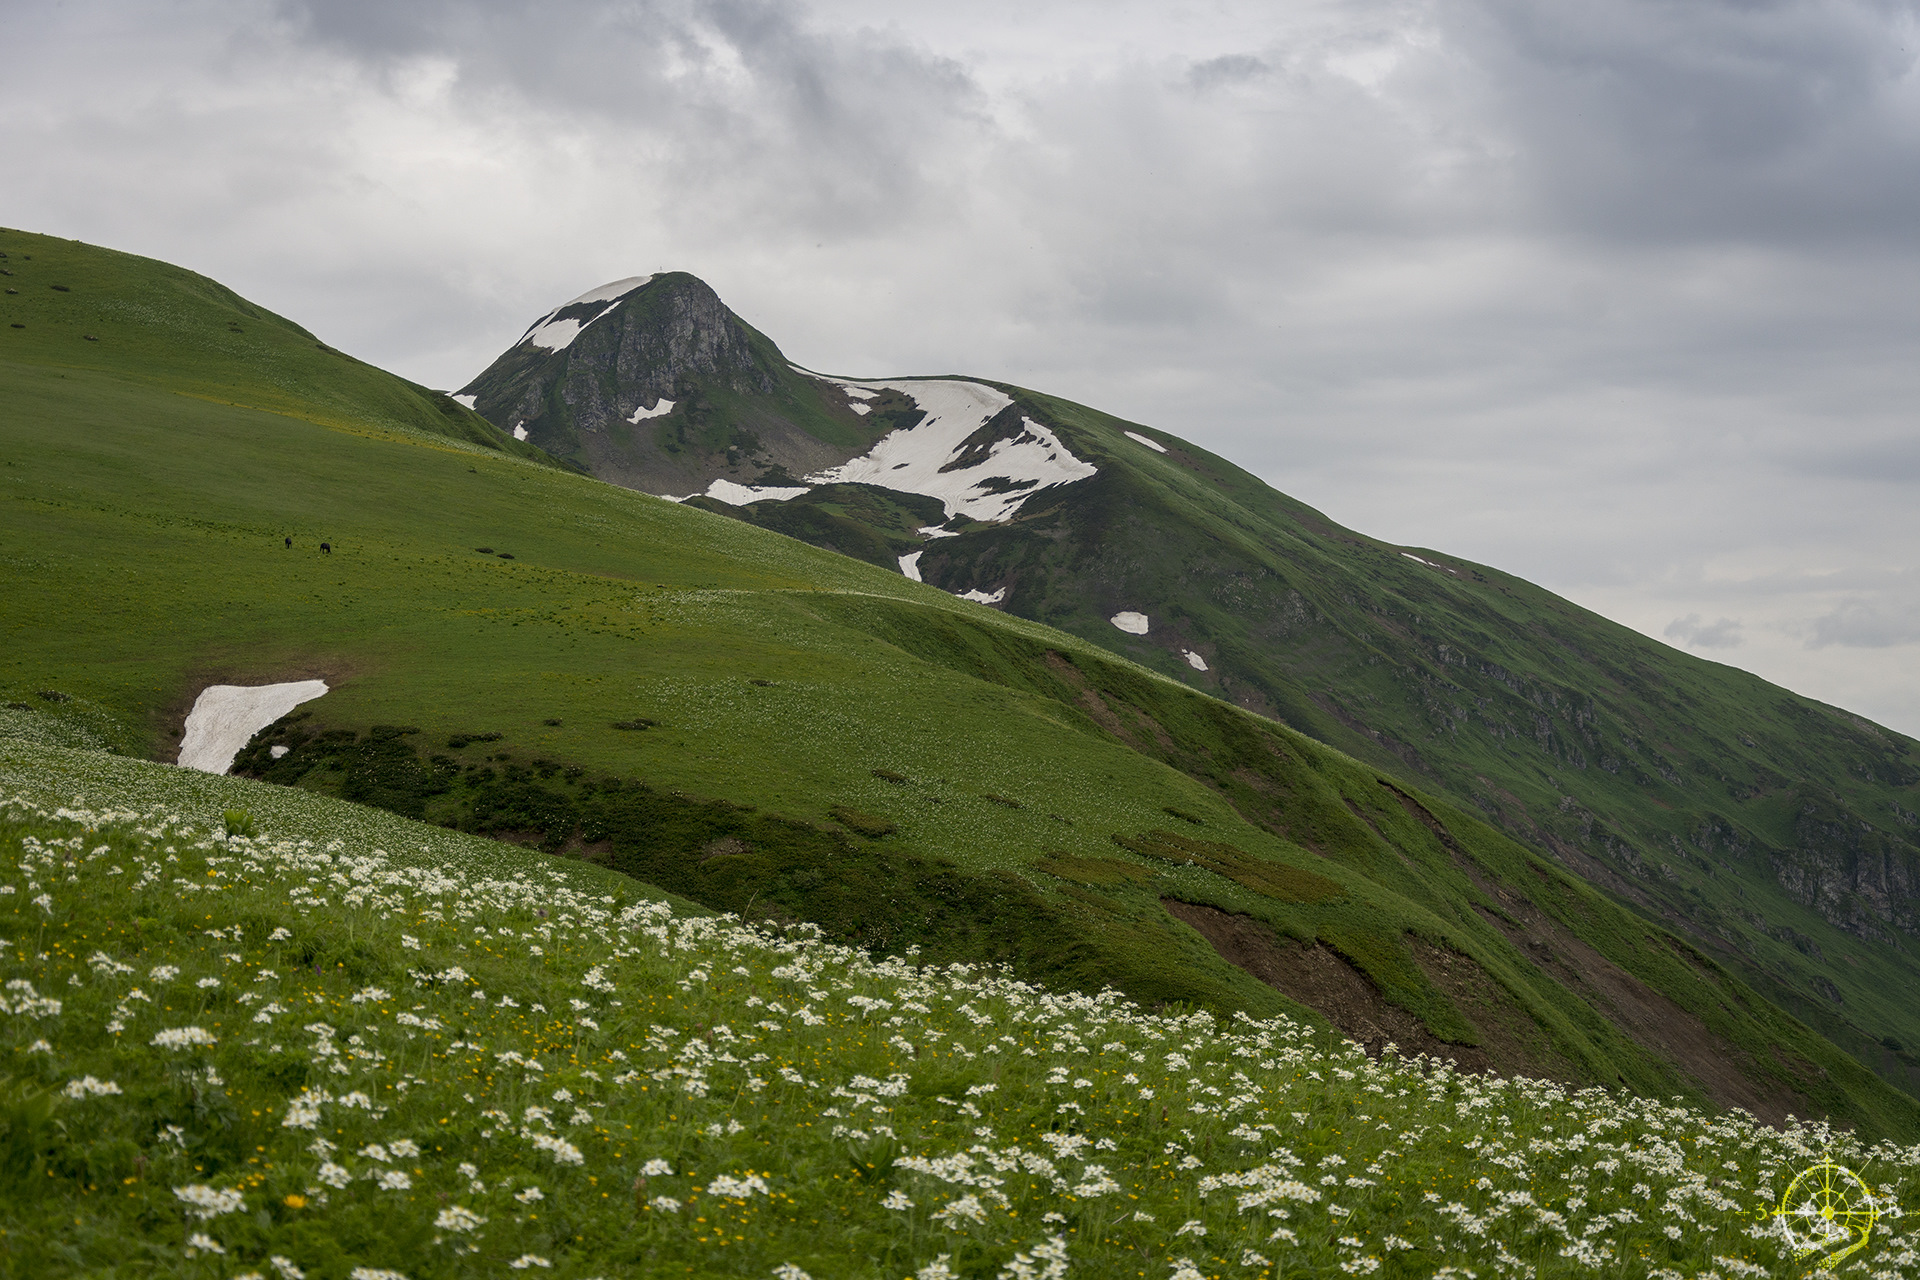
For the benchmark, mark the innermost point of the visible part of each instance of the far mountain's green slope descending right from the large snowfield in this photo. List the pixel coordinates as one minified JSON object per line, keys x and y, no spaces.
{"x":1777,"y":832}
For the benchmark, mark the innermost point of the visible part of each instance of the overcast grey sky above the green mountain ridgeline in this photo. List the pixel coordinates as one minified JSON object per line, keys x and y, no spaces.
{"x":1621,"y":296}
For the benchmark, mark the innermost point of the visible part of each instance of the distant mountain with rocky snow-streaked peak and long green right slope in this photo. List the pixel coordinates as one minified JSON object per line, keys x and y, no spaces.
{"x":1781,"y":836}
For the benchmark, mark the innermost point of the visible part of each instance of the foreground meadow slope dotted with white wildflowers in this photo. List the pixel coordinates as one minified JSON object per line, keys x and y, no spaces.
{"x":241,"y":1053}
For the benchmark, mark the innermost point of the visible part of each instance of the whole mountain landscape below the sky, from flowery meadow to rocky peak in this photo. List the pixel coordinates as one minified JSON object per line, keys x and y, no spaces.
{"x":959,"y":836}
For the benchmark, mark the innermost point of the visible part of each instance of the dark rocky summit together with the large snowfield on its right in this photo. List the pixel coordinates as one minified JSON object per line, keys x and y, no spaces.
{"x":654,"y":385}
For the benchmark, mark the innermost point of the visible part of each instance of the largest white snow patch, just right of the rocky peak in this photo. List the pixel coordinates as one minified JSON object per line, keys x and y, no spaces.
{"x":986,"y":481}
